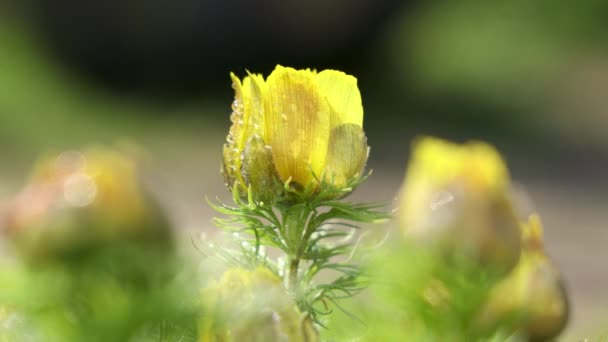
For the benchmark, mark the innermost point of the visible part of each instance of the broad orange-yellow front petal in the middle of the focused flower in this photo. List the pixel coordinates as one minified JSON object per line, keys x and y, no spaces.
{"x":297,"y":124}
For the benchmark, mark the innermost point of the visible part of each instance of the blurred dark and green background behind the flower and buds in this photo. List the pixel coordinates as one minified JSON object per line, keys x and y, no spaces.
{"x":530,"y":77}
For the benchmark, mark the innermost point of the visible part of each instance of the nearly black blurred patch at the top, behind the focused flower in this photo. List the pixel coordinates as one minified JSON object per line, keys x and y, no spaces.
{"x":183,"y":43}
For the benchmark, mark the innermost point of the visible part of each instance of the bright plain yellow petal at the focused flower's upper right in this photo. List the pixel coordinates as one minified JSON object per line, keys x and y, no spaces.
{"x":343,"y":96}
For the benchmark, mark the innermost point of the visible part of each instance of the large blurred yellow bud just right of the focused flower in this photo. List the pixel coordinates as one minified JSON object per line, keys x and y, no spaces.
{"x":457,"y":196}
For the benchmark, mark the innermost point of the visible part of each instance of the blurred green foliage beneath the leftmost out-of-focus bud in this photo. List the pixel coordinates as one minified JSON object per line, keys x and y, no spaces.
{"x":121,"y":292}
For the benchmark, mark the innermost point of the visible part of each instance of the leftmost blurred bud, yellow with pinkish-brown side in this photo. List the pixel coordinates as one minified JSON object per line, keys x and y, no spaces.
{"x":78,"y":200}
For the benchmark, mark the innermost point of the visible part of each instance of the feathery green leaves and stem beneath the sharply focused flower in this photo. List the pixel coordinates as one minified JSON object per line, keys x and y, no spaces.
{"x":315,"y":233}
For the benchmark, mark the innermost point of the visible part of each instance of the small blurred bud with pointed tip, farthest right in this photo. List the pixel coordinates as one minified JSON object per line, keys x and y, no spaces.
{"x":533,"y":292}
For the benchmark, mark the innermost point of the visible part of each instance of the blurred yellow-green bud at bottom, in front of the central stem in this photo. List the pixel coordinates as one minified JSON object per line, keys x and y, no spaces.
{"x":251,"y":305}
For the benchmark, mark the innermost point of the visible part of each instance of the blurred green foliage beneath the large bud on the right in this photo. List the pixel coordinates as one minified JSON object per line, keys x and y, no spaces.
{"x":418,"y":295}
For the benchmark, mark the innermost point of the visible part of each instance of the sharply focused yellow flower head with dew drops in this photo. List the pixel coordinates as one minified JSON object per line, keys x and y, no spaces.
{"x":296,"y":126}
